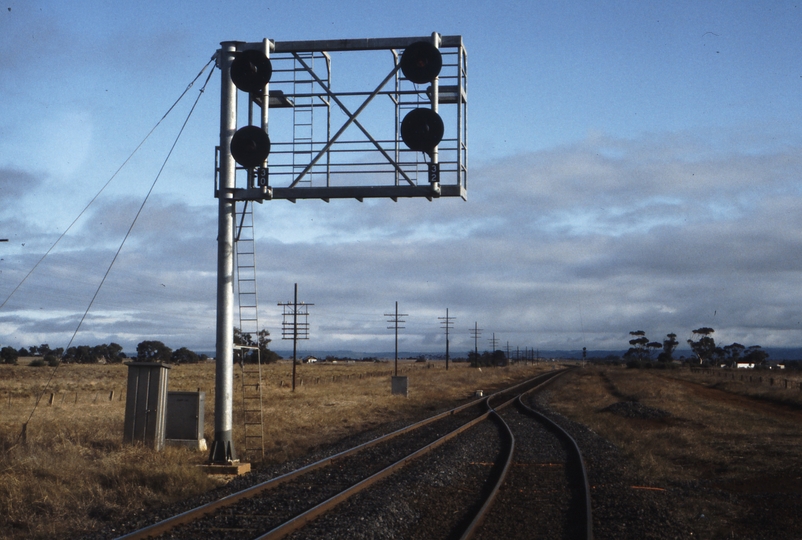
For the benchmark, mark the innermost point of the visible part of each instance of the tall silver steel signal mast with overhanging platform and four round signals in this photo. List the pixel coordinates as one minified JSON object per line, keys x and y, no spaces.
{"x":418,"y":149}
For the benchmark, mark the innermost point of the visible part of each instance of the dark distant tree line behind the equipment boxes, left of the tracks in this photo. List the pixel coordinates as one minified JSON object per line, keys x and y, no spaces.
{"x":146,"y":351}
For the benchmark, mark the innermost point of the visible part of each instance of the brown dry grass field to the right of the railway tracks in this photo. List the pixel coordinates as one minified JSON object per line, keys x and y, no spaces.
{"x":732,"y":446}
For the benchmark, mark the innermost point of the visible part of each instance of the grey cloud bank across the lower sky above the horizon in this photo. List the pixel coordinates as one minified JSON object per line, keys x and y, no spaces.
{"x":564,"y":248}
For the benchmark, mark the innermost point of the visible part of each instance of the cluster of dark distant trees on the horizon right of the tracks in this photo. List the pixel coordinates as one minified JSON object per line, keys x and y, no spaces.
{"x":703,"y":345}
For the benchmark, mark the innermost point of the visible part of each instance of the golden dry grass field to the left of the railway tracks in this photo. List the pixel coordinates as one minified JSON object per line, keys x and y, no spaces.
{"x":74,"y":474}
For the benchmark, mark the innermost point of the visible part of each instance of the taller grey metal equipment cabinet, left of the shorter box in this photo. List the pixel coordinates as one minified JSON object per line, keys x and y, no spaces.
{"x":146,"y":404}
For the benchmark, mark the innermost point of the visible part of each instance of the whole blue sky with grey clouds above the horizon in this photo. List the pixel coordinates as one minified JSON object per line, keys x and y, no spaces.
{"x":633,"y":166}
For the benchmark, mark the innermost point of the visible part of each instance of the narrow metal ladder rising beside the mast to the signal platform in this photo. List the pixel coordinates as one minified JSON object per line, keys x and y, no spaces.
{"x":245,"y":256}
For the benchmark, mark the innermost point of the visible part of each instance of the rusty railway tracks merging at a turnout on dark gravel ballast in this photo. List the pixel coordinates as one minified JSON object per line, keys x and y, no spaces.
{"x":471,"y":448}
